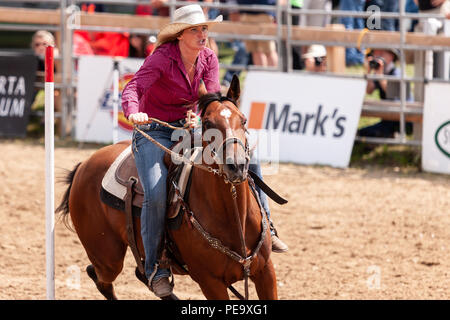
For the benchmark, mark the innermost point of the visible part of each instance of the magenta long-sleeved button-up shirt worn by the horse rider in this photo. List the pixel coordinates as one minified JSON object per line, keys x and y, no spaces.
{"x":161,"y":87}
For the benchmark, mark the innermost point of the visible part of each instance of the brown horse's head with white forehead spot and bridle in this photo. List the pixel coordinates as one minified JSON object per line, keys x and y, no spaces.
{"x":223,"y":124}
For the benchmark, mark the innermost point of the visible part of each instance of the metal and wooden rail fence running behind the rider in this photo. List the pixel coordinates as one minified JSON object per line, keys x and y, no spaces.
{"x":20,"y":19}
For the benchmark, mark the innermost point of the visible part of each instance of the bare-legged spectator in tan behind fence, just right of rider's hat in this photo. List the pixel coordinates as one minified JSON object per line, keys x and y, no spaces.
{"x":263,"y":53}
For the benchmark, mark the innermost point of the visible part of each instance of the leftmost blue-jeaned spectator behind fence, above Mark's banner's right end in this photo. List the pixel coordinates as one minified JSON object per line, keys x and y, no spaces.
{"x":353,"y":56}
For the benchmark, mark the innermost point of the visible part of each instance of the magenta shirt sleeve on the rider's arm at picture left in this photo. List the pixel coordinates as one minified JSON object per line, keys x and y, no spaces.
{"x":149,"y":72}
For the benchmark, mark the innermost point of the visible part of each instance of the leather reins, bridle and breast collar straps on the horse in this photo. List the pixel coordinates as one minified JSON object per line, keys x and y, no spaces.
{"x":215,"y":243}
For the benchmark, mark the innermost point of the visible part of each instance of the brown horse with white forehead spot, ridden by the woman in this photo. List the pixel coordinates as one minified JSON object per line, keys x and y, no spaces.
{"x":102,"y":229}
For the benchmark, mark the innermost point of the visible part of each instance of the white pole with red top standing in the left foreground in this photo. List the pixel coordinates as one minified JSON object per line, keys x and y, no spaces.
{"x":49,"y":172}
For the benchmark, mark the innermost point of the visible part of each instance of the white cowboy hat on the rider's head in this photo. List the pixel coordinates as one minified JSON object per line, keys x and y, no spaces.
{"x":184,"y":17}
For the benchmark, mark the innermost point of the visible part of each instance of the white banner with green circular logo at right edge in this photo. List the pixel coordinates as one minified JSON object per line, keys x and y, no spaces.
{"x":436,"y":128}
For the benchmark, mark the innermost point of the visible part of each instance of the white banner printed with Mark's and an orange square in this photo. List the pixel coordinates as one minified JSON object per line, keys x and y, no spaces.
{"x":306,"y":119}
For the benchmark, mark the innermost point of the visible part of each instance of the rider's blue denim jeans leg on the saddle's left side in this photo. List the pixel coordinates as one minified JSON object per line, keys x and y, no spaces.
{"x":152,"y":174}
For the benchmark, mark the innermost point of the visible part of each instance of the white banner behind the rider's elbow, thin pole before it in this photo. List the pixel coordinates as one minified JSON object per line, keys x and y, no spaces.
{"x":95,"y":98}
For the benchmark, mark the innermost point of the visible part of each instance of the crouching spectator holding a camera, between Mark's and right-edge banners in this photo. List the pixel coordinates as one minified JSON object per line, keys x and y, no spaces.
{"x":382,"y":62}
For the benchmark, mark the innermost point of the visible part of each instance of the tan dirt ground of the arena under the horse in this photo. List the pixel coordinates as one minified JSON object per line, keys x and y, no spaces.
{"x":353,"y":234}
